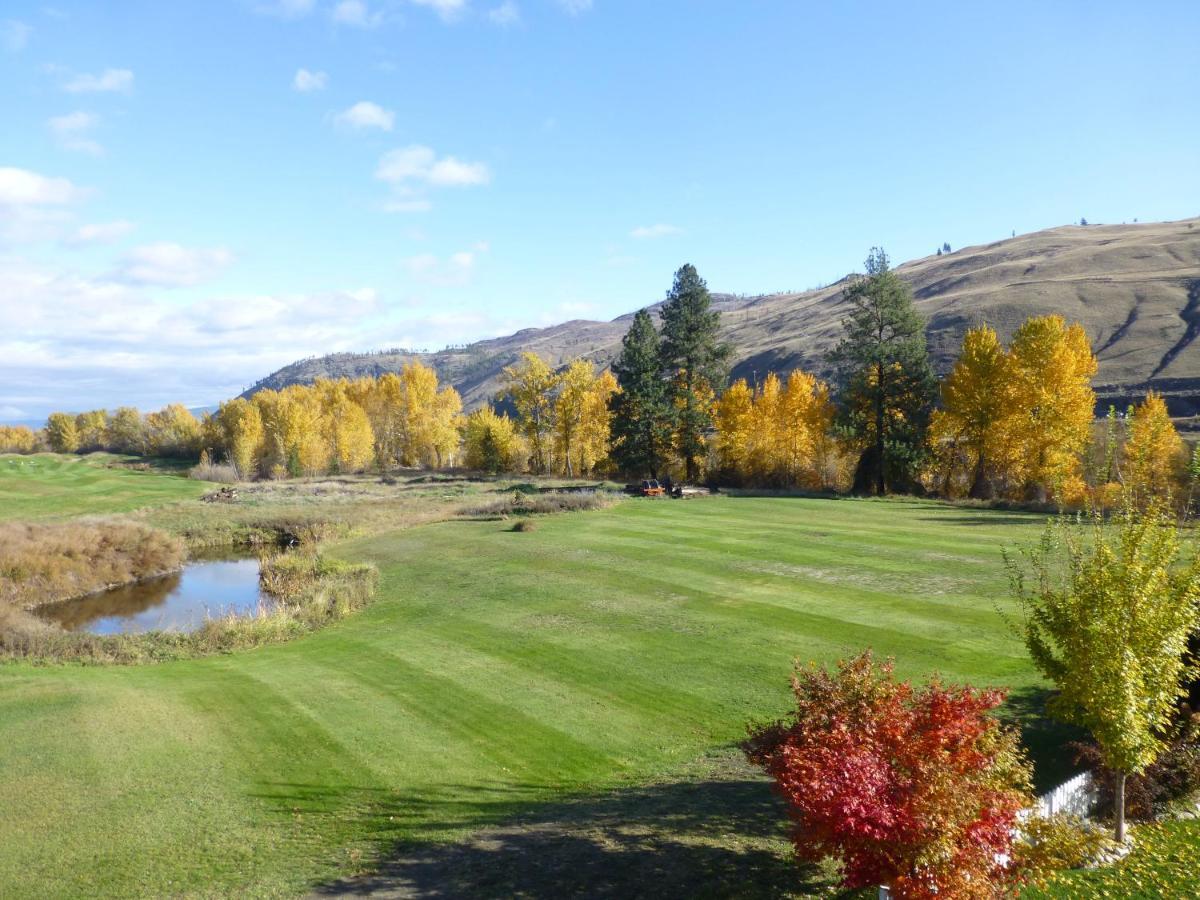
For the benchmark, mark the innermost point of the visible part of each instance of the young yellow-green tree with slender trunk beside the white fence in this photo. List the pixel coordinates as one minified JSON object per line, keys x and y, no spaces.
{"x":1107,"y":617}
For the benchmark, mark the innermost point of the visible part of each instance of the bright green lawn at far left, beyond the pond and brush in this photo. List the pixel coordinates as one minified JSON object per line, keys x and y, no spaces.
{"x":50,"y":485}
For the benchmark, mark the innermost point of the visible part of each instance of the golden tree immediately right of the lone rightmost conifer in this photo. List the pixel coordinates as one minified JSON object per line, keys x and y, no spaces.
{"x":976,"y":398}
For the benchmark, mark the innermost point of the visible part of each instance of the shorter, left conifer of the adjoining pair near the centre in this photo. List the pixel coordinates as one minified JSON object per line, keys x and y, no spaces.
{"x":641,"y":421}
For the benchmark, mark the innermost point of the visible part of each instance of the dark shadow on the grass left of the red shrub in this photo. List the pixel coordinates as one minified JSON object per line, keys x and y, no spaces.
{"x":705,"y":838}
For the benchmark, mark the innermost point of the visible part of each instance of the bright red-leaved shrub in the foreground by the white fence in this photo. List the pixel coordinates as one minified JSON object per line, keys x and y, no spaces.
{"x":917,"y":789}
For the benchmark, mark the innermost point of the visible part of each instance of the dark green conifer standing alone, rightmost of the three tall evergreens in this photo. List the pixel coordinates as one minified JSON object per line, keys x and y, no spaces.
{"x":887,"y":387}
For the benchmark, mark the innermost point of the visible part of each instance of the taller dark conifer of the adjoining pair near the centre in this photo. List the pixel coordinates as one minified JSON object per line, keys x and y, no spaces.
{"x":694,"y":362}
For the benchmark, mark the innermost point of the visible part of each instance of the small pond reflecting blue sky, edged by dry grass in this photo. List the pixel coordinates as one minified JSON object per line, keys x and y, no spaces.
{"x":206,"y":589}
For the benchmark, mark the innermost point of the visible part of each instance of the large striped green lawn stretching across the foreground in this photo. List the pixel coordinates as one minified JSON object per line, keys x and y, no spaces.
{"x":496,"y":675}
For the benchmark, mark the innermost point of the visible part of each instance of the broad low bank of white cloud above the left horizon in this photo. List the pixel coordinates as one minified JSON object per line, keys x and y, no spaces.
{"x":73,"y":341}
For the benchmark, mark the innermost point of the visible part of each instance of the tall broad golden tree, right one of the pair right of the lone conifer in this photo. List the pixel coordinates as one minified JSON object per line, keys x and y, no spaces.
{"x":1052,"y":369}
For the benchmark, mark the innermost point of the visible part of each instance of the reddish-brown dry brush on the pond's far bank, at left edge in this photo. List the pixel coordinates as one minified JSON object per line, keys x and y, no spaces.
{"x":47,"y":563}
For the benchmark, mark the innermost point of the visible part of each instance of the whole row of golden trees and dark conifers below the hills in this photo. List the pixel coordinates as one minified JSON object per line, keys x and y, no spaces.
{"x":1015,"y":422}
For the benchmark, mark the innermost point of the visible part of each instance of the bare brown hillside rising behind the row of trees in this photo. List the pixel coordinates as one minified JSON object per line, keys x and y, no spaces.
{"x":1136,"y":289}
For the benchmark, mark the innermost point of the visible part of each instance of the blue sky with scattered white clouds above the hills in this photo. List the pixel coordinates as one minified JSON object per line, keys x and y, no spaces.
{"x":195,"y":194}
